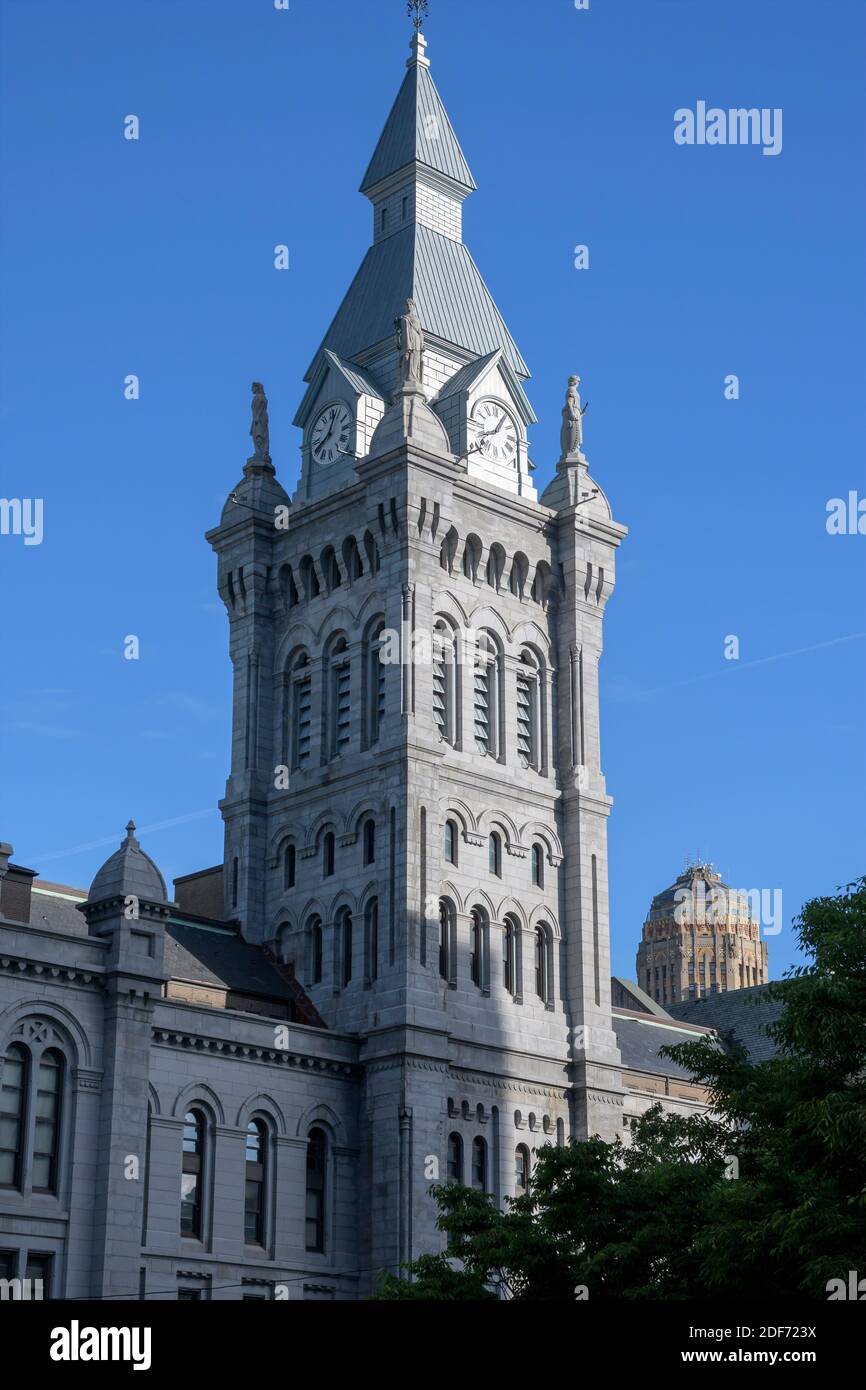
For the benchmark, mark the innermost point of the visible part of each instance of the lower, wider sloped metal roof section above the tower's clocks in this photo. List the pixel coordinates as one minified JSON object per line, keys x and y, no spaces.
{"x":440,"y":275}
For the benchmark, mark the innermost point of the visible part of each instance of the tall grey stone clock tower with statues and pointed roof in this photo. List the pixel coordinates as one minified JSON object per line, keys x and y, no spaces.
{"x":416,"y":812}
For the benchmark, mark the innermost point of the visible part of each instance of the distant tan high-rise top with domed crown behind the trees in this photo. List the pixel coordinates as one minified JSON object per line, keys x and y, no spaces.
{"x":700,"y":939}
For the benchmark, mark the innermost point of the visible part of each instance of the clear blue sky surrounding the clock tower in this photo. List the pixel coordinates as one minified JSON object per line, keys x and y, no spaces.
{"x":156,"y":258}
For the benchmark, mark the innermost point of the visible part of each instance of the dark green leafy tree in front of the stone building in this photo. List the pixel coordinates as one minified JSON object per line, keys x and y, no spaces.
{"x":662,"y":1218}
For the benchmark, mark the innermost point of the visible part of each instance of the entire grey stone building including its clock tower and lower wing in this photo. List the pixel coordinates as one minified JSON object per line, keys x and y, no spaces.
{"x":401,"y":971}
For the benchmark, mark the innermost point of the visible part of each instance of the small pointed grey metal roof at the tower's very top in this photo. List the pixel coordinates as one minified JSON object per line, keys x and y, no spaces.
{"x":419,"y":130}
